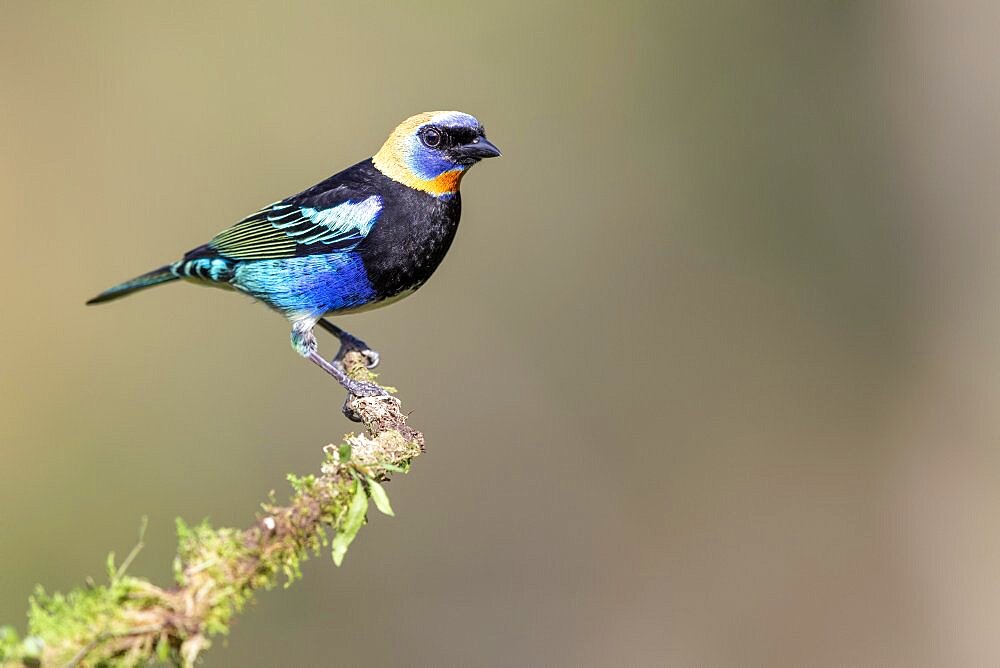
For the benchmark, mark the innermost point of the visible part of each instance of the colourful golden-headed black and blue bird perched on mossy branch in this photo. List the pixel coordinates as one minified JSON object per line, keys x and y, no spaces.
{"x":363,"y":238}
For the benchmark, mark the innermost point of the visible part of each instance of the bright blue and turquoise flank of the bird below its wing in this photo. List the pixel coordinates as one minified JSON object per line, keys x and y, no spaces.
{"x":314,"y":284}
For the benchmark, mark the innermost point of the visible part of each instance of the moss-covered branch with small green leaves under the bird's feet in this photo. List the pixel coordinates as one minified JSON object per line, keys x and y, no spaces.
{"x":130,"y":621}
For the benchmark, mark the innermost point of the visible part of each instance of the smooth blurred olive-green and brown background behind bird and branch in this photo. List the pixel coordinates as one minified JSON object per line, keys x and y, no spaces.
{"x":709,"y":377}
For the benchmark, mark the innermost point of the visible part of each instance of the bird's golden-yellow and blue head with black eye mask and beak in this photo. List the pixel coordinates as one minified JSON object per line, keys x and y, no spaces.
{"x":432,"y":151}
